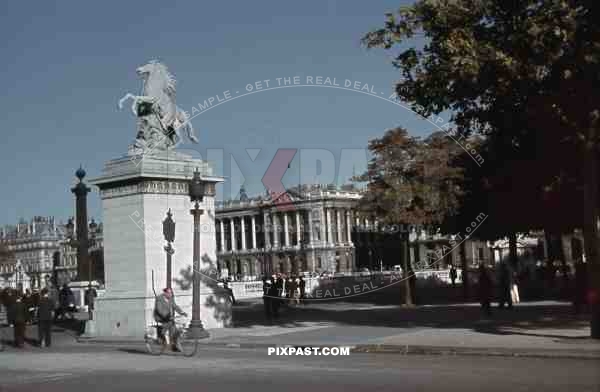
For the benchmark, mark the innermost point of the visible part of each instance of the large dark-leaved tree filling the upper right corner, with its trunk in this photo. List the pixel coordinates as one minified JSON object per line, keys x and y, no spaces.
{"x":516,"y":70}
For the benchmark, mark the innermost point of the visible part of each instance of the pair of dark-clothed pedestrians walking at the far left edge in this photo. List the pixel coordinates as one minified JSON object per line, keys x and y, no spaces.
{"x":27,"y":308}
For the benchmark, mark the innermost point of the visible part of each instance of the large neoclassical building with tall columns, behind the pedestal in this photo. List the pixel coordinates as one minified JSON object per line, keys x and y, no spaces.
{"x":306,"y":229}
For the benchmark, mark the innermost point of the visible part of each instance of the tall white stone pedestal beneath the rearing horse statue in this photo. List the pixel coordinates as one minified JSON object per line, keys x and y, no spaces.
{"x":136,"y":192}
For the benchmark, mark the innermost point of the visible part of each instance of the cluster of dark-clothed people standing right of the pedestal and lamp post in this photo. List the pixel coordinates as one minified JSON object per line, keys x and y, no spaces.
{"x":282,"y":290}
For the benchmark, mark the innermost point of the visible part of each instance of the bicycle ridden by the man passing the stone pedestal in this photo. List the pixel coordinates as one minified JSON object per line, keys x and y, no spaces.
{"x":157,"y":344}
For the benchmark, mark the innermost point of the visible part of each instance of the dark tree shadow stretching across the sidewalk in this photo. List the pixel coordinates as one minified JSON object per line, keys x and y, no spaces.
{"x":523,"y":319}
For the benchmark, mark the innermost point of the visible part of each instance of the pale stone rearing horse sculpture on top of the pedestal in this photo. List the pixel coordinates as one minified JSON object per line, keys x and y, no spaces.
{"x":160,"y":122}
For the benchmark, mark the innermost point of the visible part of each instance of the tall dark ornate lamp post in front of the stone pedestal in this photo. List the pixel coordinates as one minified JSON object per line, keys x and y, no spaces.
{"x":197,"y":191}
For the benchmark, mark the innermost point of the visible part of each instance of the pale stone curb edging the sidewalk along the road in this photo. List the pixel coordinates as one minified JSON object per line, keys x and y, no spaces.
{"x":391,"y":349}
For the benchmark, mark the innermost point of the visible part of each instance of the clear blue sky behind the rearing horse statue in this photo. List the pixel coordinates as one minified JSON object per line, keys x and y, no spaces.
{"x":65,"y":65}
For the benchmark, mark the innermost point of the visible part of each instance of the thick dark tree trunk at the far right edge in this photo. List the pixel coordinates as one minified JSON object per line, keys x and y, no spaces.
{"x":590,"y":232}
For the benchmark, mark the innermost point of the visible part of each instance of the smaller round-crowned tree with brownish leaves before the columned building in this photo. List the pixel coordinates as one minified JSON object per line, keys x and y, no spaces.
{"x":411,"y":181}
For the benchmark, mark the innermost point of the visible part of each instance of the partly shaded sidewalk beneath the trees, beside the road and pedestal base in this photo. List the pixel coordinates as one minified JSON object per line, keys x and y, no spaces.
{"x":544,"y":329}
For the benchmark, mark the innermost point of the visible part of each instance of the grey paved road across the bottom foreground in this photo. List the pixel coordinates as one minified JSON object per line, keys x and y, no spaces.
{"x":253,"y":370}
